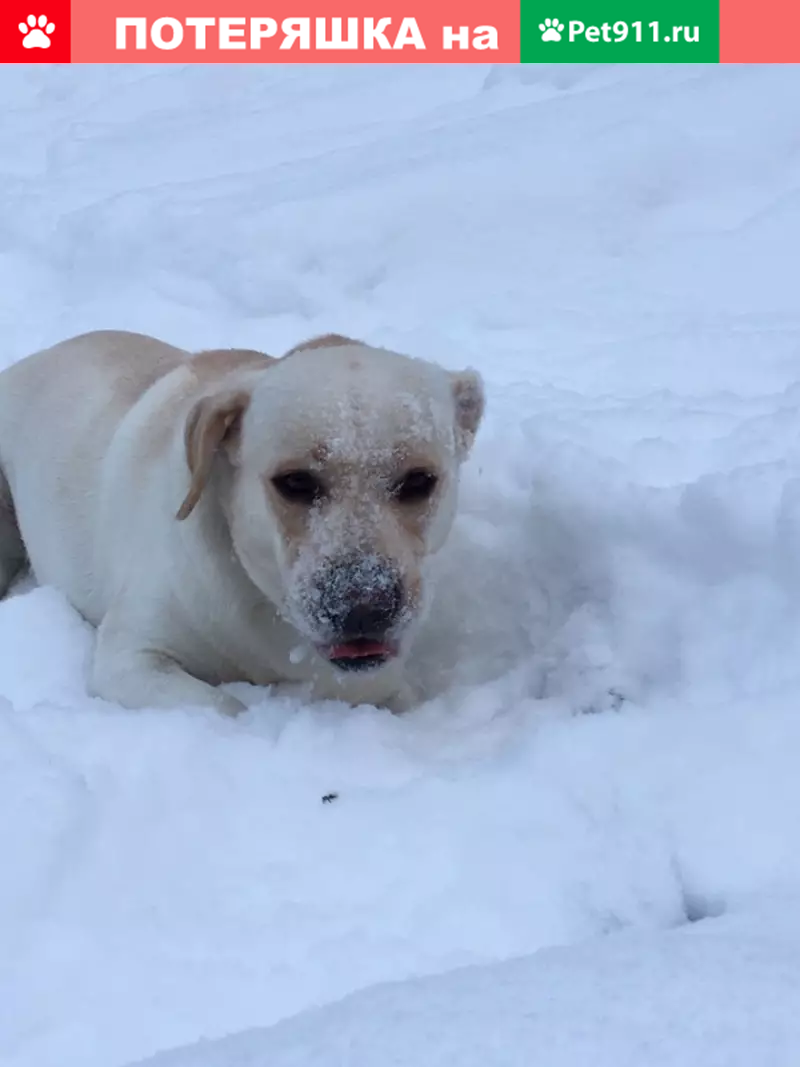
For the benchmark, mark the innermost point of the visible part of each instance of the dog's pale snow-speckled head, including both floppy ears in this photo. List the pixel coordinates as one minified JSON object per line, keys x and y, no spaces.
{"x":344,"y":471}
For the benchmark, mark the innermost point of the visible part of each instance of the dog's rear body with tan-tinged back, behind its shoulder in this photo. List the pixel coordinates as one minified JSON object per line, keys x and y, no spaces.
{"x":59,"y":410}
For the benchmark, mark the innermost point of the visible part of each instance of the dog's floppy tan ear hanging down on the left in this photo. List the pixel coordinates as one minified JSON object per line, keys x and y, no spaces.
{"x":214,"y":423}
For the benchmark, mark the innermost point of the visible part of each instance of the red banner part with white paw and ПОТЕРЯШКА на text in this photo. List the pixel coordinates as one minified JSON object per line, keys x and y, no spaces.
{"x":252,"y":31}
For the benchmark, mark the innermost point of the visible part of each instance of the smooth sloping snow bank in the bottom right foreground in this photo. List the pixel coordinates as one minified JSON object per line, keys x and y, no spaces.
{"x":724,"y":995}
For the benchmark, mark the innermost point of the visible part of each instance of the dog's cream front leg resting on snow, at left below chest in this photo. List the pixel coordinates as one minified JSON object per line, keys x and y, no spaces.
{"x":136,"y":678}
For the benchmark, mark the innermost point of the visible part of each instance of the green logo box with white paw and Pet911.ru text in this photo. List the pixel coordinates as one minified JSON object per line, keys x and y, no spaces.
{"x":619,"y":31}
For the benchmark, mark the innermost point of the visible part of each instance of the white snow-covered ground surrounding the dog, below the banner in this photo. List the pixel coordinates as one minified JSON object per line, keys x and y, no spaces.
{"x":617,"y":249}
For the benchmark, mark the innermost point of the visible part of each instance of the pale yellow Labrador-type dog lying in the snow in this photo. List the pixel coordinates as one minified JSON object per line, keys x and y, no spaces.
{"x":231,"y":517}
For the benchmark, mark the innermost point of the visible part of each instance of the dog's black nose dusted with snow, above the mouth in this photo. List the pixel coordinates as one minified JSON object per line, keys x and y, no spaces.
{"x":360,"y":598}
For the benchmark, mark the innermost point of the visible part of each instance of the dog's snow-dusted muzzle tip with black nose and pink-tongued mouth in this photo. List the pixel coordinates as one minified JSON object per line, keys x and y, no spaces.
{"x":359,"y":602}
